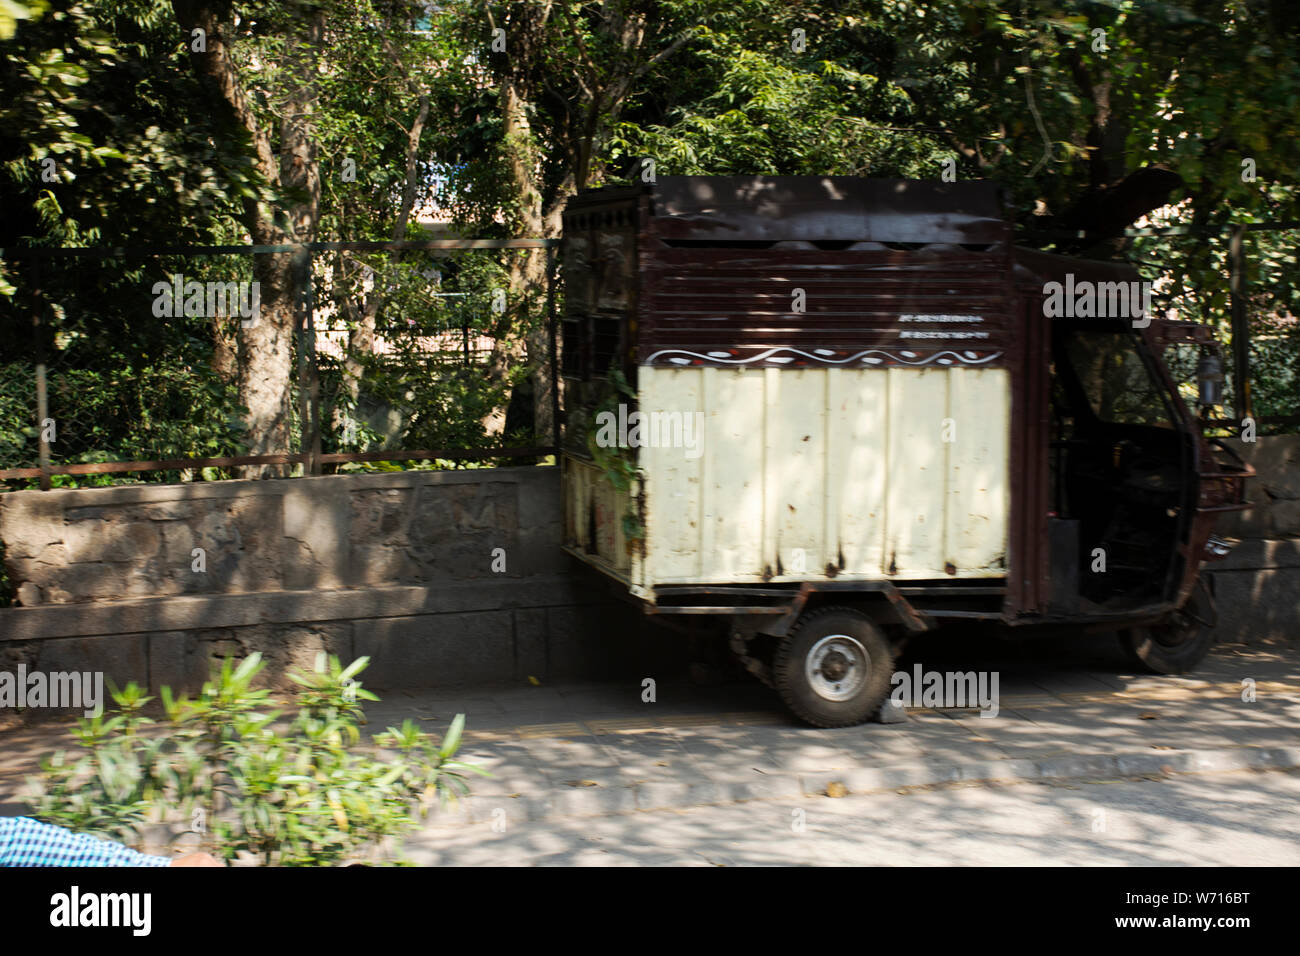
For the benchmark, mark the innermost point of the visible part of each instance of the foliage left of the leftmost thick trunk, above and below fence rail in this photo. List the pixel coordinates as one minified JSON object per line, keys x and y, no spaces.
{"x":101,"y":145}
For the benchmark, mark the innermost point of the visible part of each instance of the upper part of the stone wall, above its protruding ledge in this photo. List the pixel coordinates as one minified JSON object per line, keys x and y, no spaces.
{"x":358,"y":531}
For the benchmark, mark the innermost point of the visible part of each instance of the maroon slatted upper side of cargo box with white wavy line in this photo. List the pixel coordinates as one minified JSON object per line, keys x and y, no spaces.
{"x":863,"y":306}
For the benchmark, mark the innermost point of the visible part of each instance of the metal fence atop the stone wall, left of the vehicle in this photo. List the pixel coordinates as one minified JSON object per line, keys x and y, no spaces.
{"x":401,"y":352}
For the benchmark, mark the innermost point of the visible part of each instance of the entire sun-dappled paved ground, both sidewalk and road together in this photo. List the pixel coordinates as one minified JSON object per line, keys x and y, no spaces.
{"x":596,"y":775}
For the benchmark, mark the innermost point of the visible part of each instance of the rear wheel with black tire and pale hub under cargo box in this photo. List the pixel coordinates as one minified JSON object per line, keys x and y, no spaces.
{"x":852,"y":659}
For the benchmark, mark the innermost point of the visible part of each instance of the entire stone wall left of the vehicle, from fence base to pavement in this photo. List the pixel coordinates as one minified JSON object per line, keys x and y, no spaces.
{"x":441,"y":578}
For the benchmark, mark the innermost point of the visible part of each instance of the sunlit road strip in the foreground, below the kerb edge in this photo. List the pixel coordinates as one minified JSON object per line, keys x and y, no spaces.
{"x":1198,"y":820}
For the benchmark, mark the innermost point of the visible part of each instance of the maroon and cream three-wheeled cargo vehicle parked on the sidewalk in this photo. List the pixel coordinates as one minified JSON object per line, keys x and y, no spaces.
{"x":837,"y":413}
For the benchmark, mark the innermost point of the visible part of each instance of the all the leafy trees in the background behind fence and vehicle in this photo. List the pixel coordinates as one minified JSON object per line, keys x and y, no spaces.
{"x":206,"y":122}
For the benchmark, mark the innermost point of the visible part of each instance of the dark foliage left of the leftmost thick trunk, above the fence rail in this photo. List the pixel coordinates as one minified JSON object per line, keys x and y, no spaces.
{"x":98,"y":120}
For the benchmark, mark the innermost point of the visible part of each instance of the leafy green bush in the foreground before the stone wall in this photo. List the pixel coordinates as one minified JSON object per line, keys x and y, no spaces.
{"x":297,"y":794}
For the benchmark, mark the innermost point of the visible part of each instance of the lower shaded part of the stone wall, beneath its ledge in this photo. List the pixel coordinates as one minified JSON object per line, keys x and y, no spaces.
{"x":590,"y":639}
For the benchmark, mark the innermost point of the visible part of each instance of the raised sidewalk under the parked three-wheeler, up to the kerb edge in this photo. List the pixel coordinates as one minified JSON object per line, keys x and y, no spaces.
{"x":1068,"y":712}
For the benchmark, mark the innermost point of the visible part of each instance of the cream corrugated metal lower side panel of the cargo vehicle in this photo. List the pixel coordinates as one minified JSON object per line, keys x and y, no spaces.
{"x":829,"y":473}
